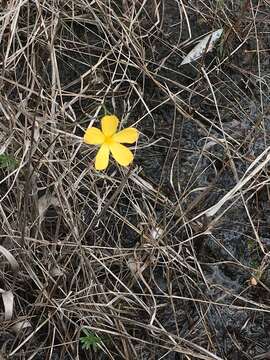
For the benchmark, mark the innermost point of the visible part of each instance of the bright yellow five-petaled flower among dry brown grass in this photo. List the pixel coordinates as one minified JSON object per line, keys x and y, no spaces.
{"x":111,"y":141}
